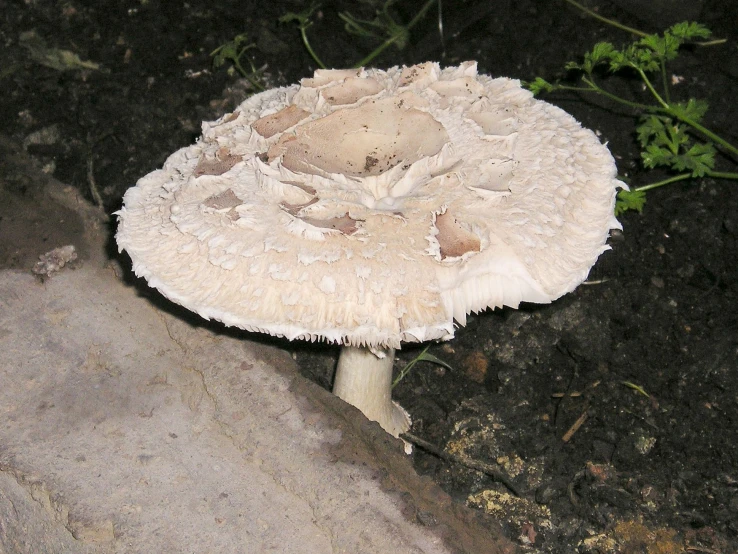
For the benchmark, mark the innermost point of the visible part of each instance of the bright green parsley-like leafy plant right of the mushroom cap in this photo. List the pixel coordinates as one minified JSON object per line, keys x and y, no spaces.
{"x":670,"y":133}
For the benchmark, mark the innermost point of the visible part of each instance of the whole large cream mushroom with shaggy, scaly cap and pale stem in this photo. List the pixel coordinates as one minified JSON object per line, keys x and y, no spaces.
{"x":370,"y":208}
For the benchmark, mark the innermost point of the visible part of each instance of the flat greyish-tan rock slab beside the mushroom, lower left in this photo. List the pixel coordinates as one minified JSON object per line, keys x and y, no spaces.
{"x":129,"y":426}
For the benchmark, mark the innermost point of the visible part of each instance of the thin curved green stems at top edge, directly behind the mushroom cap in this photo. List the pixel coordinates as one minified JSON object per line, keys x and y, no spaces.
{"x":383,"y":27}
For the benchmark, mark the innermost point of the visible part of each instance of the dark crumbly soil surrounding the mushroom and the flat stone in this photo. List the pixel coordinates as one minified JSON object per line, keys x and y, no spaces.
{"x":643,"y":357}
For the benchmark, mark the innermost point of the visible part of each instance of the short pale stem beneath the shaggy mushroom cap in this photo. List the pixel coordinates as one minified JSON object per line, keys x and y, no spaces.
{"x":364,"y":380}
